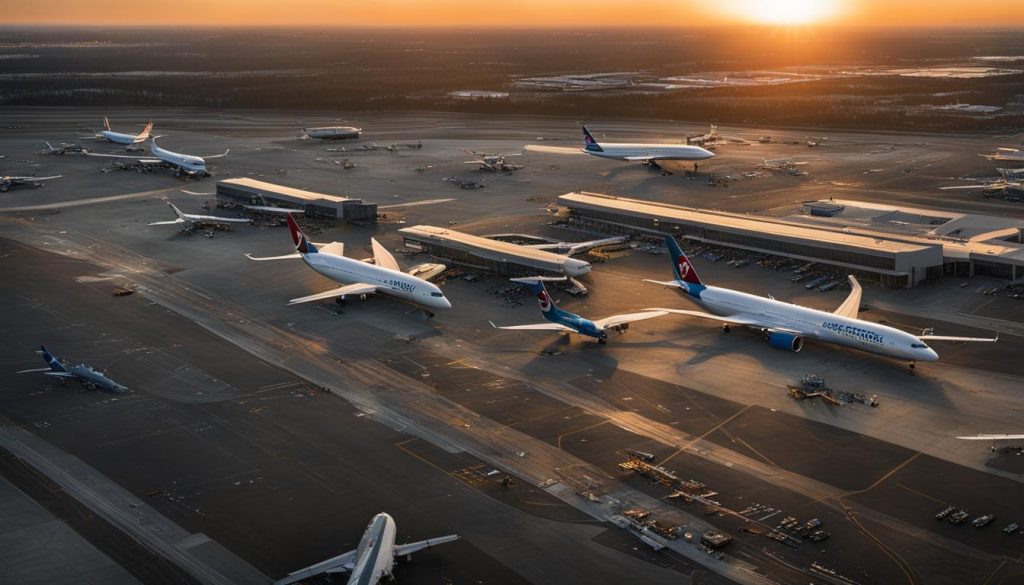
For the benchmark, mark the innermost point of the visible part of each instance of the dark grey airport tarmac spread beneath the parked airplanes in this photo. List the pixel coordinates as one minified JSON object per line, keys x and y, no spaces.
{"x":228,"y":434}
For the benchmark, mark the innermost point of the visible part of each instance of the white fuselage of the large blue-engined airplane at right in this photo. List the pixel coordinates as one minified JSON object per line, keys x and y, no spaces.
{"x":815,"y":324}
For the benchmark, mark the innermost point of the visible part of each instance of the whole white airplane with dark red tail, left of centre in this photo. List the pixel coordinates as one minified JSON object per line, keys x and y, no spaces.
{"x":360,"y":278}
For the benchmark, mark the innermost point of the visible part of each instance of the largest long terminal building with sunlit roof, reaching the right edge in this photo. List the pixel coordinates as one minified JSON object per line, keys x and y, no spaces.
{"x":991,"y":247}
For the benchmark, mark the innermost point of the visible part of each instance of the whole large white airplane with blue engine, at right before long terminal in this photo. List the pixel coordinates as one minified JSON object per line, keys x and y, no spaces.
{"x":786,"y":326}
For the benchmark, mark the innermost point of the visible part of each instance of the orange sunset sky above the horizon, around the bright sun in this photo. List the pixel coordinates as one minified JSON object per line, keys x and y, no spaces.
{"x":566,"y":14}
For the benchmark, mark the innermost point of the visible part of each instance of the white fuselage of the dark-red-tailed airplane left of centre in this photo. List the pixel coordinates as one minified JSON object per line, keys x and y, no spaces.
{"x":394,"y":283}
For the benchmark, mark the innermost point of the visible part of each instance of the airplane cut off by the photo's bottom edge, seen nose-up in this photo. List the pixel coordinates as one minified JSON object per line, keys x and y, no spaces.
{"x":374,"y":558}
